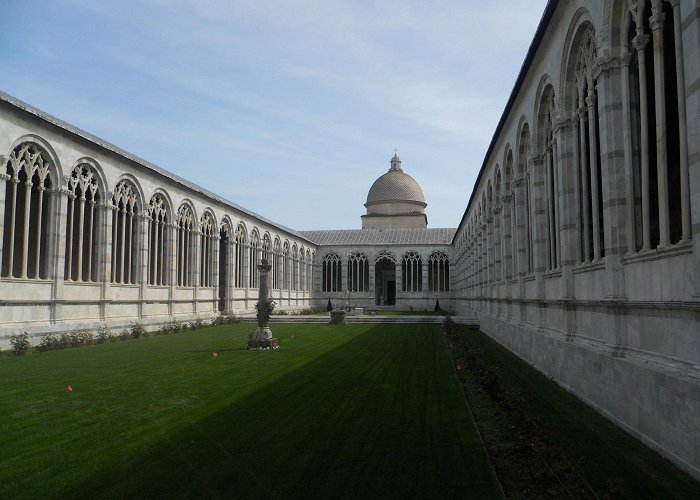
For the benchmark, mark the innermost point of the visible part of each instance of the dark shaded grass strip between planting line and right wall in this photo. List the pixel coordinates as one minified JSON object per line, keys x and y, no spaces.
{"x":544,"y":442}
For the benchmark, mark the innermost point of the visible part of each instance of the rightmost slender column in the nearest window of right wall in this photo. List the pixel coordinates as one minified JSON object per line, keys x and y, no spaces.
{"x":682,"y":122}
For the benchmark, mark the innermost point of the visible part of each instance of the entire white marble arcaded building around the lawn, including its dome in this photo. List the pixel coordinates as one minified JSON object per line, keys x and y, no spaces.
{"x":579,"y":248}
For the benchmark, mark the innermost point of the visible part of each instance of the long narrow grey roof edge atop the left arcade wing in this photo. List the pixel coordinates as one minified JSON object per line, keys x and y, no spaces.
{"x":17,"y":103}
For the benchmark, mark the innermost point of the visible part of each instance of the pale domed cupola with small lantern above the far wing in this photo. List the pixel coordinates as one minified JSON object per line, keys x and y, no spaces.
{"x":395,"y":200}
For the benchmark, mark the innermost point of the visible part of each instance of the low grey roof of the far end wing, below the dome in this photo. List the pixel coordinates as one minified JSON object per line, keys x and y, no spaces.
{"x":355,"y":237}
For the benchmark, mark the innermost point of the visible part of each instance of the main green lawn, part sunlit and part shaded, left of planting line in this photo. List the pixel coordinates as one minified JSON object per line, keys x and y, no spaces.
{"x":352,"y":411}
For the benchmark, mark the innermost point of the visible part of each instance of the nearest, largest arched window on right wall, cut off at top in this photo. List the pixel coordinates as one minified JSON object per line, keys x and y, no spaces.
{"x":658,"y":195}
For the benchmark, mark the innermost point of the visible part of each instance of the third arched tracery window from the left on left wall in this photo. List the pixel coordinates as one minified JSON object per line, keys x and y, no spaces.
{"x":124,"y":233}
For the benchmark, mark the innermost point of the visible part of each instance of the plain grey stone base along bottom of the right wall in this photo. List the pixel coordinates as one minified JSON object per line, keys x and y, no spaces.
{"x":659,"y":403}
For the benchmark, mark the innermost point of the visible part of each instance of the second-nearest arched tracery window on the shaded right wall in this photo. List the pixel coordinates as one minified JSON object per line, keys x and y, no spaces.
{"x":591,"y":234}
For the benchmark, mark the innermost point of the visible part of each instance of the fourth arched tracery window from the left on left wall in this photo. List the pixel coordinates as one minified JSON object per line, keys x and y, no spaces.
{"x":158,"y":241}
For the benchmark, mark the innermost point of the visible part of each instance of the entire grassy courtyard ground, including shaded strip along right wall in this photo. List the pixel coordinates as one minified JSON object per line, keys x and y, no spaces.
{"x":348,"y":411}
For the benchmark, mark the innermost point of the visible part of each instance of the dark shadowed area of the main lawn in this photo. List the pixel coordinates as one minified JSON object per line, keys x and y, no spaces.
{"x":366,"y":420}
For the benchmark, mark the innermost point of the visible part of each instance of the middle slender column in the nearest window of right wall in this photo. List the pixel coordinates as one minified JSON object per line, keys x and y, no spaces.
{"x":657,"y":26}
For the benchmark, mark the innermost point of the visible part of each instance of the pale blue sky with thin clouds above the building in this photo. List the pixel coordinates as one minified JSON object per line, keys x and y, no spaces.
{"x":290,"y":109}
